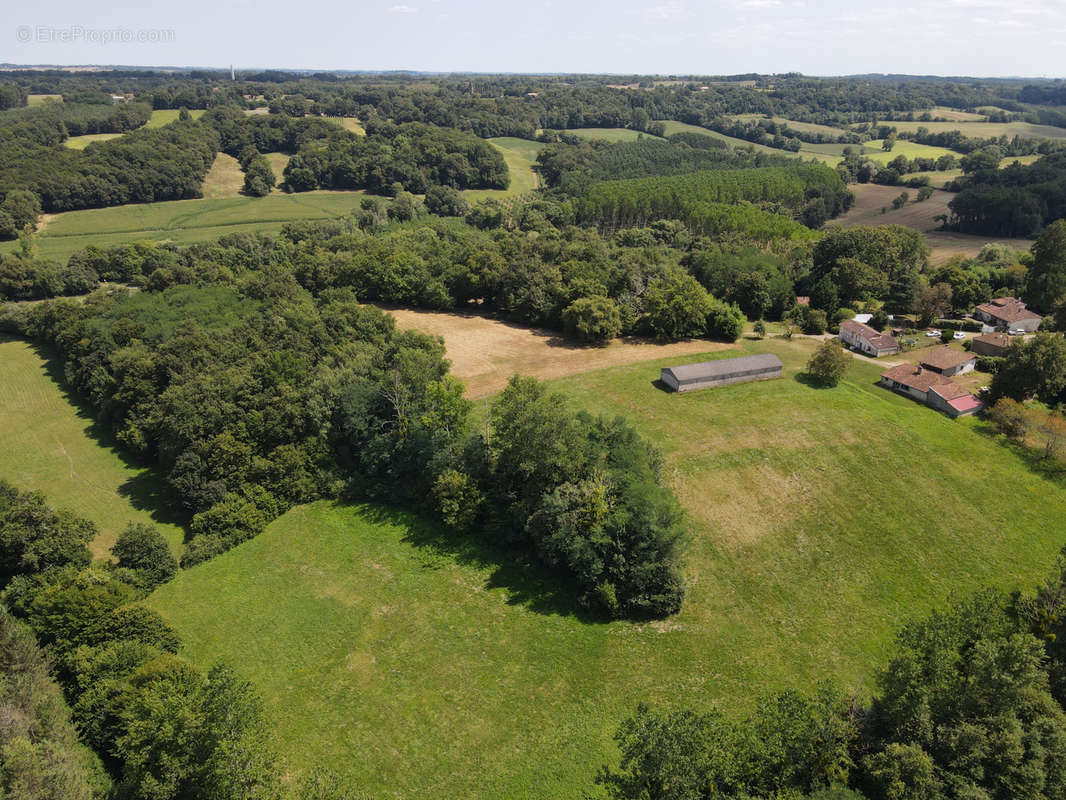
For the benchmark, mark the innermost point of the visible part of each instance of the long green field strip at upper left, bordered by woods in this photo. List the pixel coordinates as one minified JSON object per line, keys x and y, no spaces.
{"x":185,"y":221}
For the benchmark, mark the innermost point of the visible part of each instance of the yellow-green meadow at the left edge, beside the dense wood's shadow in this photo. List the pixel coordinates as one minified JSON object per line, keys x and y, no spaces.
{"x":51,"y":445}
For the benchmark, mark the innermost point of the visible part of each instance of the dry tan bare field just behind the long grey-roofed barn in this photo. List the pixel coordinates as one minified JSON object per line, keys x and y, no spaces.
{"x":486,"y":354}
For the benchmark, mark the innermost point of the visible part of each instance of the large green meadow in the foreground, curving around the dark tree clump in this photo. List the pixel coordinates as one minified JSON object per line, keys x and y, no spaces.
{"x":819,"y":521}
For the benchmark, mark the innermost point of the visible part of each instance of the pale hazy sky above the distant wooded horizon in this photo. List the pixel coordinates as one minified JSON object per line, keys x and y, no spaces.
{"x":958,"y":38}
